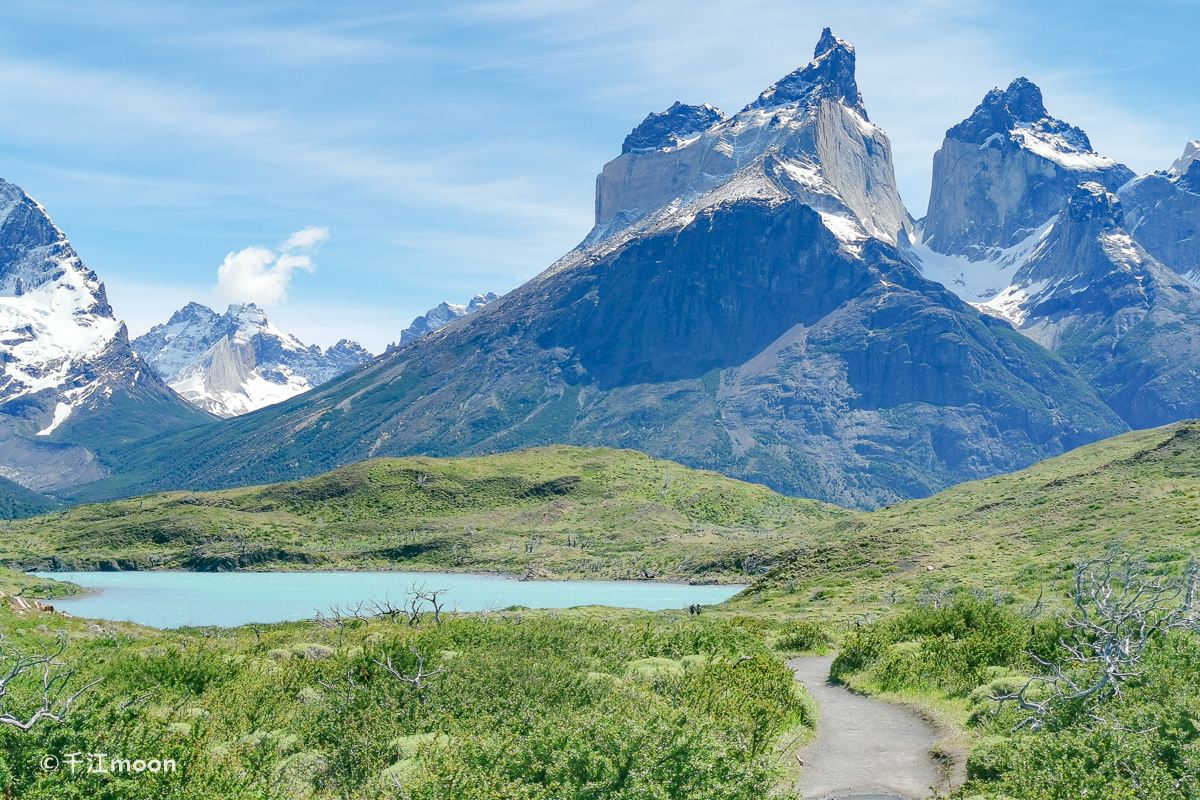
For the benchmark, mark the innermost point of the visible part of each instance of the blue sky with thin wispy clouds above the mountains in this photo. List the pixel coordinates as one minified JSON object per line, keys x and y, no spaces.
{"x":452,"y":148}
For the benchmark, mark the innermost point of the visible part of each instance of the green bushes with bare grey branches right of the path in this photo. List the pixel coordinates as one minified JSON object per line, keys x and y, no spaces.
{"x":1097,"y":701}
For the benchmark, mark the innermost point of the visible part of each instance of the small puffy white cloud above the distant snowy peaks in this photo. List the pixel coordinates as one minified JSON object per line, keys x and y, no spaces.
{"x":261,"y":275}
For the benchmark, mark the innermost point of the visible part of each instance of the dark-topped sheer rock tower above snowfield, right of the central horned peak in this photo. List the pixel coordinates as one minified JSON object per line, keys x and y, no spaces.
{"x":1005,"y":171}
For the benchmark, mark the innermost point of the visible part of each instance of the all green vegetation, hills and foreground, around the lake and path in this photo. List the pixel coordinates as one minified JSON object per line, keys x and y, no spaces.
{"x":1051,"y":618}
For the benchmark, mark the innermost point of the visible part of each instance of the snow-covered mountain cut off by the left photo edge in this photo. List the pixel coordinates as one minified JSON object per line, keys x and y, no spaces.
{"x":70,"y":384}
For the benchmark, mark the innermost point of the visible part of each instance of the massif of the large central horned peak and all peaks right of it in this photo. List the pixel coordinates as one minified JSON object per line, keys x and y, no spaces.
{"x":754,"y":298}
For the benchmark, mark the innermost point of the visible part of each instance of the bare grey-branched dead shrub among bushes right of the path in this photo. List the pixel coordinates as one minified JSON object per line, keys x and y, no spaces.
{"x":1119,"y":609}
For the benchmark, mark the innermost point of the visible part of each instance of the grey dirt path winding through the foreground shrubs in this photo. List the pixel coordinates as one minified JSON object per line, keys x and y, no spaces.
{"x":863,"y":748}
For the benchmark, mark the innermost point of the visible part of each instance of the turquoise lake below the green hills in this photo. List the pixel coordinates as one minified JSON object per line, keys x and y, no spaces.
{"x":227,"y":599}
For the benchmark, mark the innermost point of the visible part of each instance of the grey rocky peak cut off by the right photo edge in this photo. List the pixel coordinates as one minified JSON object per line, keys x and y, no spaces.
{"x":1163,"y":214}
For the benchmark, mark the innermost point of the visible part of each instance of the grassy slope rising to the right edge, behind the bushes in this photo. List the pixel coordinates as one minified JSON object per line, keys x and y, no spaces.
{"x":1018,"y":533}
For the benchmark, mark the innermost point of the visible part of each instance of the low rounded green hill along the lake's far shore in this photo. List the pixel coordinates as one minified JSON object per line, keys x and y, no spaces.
{"x":555,"y":512}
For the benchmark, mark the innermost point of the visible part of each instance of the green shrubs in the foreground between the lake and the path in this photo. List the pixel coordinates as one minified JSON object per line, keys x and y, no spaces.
{"x":502,"y":706}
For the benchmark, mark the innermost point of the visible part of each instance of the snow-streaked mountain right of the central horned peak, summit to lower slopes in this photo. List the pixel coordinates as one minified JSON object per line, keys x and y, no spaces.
{"x":1025,"y":225}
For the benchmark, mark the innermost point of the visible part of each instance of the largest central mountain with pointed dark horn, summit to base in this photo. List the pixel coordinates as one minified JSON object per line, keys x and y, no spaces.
{"x":757,"y":320}
